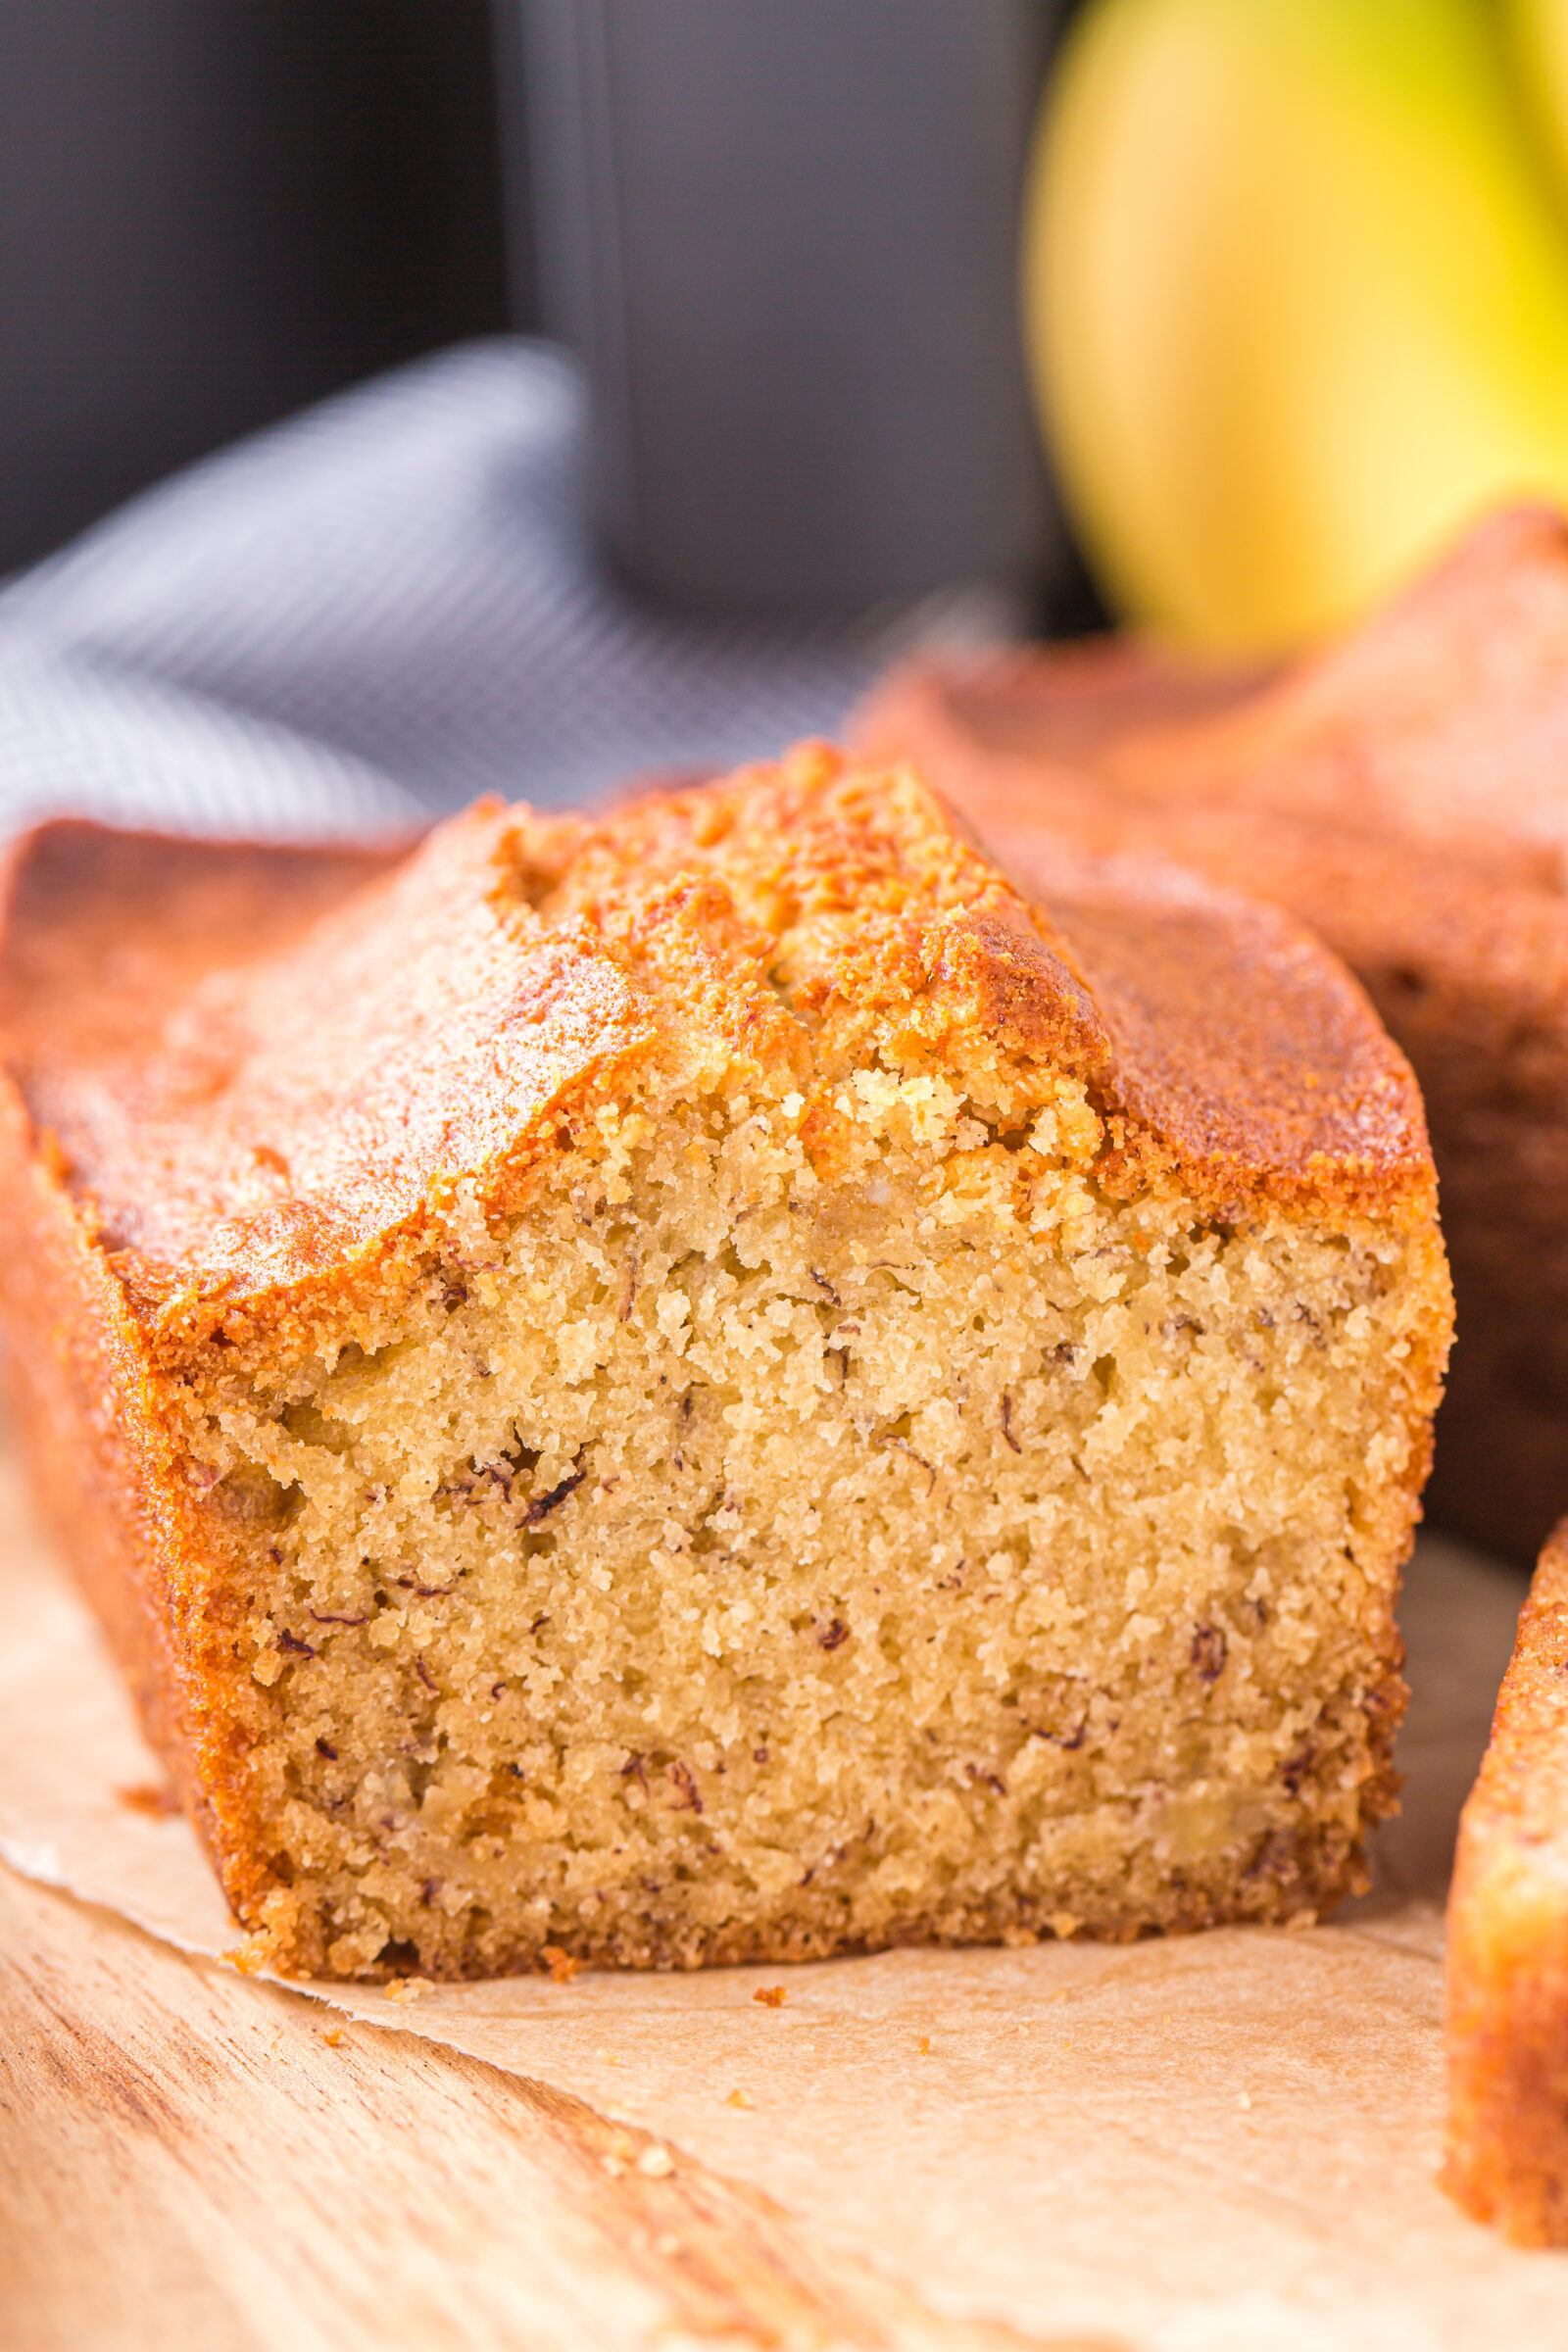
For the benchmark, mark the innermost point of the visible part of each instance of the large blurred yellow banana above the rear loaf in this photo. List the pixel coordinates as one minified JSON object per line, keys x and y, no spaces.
{"x":1296,"y":298}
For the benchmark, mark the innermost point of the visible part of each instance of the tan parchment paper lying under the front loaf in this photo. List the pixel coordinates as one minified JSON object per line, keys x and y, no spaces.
{"x":1212,"y":2144}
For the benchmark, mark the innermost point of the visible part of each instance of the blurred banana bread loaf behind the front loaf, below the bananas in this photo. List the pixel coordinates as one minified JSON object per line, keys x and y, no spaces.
{"x":1407,"y":796}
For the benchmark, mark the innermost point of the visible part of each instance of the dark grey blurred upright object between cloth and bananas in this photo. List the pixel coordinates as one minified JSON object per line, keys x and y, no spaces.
{"x":784,"y":234}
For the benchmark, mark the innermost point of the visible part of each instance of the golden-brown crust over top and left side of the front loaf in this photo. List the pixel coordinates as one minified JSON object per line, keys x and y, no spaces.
{"x":243,"y":1107}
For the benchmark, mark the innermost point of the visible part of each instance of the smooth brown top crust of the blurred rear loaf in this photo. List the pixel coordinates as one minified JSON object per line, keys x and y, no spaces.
{"x":1393,"y":733}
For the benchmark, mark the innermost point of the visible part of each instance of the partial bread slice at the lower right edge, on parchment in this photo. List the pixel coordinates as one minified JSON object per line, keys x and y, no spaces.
{"x":1508,"y":1942}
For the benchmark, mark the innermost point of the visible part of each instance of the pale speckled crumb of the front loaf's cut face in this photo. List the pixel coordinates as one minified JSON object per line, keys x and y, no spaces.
{"x":723,"y":1563}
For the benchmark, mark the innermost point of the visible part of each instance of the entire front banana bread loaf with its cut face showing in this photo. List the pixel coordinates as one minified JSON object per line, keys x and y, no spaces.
{"x":716,"y":1384}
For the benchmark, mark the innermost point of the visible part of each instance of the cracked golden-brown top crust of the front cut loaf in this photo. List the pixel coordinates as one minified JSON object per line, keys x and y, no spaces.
{"x":262,"y":1074}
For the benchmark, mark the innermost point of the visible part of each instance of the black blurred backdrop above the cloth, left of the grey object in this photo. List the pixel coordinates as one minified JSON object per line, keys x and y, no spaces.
{"x":217,"y":211}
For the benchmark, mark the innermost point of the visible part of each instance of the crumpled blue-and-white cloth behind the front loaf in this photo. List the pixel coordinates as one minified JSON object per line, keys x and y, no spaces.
{"x":384,"y":608}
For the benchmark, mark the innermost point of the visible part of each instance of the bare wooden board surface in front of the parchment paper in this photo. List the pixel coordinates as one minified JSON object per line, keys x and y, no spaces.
{"x":194,"y":2160}
